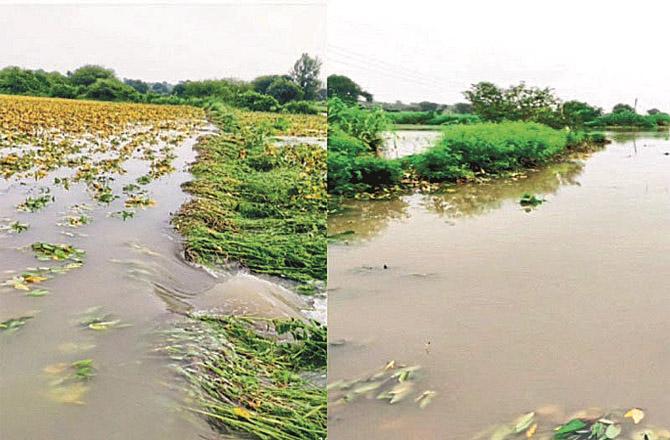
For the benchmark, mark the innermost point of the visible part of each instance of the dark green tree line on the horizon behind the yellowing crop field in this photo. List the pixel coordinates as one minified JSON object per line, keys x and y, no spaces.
{"x":100,"y":83}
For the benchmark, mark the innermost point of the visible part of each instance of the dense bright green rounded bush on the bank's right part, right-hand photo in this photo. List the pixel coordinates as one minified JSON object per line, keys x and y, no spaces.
{"x":489,"y":147}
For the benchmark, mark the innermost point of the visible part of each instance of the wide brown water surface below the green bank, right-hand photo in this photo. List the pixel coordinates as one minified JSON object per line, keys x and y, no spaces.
{"x":508,"y":311}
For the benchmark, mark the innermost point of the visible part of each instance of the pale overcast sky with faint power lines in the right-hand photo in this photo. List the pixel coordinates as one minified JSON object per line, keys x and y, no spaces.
{"x":603,"y":52}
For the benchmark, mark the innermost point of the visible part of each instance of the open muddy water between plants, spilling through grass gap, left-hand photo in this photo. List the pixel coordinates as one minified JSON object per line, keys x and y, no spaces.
{"x":133,"y":272}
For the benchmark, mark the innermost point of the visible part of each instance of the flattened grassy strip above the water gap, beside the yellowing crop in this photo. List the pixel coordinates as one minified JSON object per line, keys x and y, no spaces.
{"x":256,"y":203}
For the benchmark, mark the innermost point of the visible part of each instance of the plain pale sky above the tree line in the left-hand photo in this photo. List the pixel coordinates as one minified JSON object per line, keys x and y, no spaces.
{"x":164,"y":42}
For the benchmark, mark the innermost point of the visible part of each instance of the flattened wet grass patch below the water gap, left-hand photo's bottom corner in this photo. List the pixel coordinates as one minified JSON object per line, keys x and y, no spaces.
{"x":247,"y":375}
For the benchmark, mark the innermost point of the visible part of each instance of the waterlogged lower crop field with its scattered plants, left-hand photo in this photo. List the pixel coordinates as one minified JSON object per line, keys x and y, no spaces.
{"x":91,"y":274}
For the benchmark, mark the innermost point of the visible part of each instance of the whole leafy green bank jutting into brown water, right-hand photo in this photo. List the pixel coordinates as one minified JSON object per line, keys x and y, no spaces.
{"x":465,"y":151}
